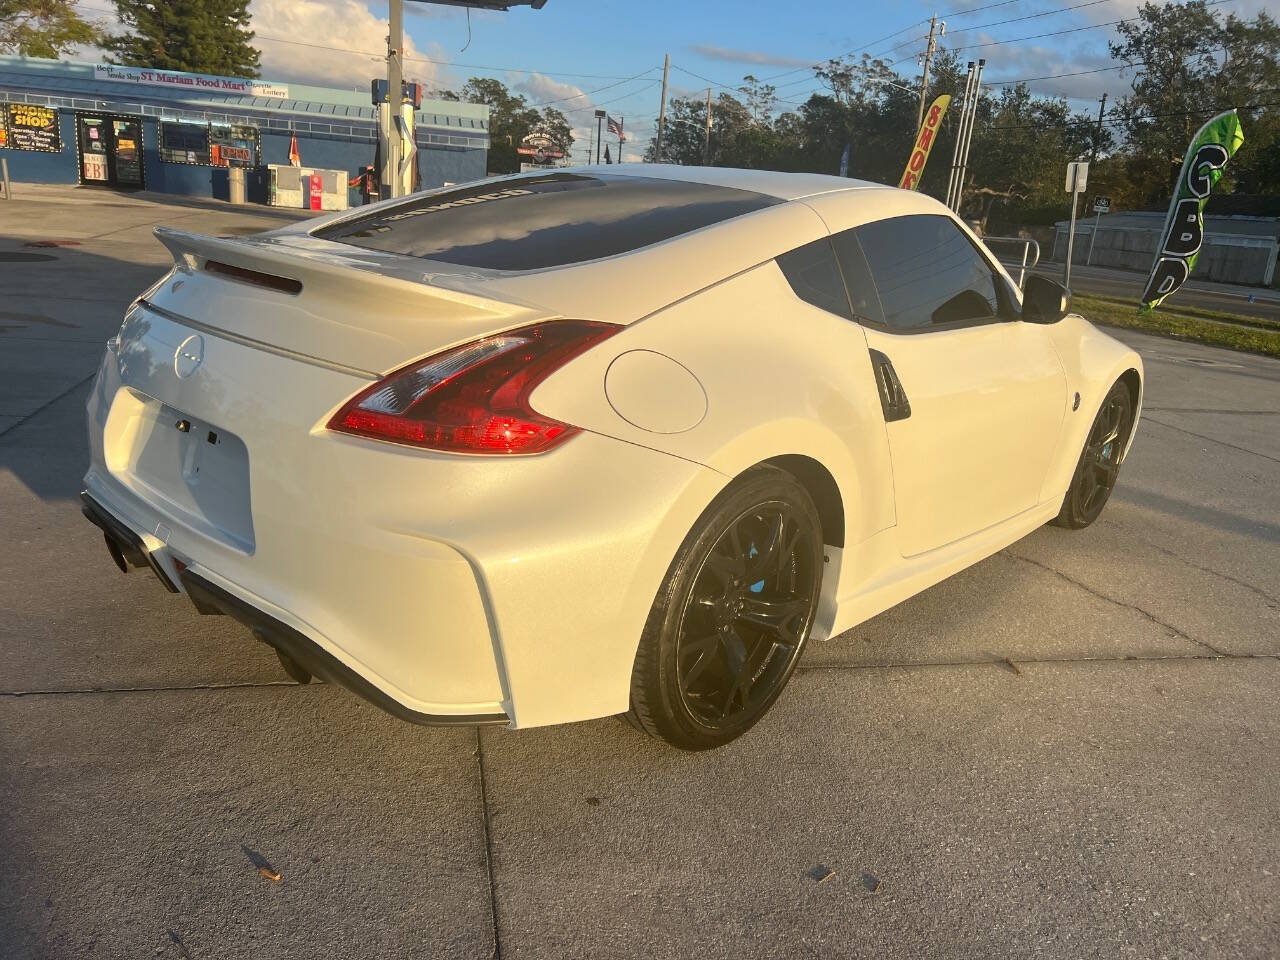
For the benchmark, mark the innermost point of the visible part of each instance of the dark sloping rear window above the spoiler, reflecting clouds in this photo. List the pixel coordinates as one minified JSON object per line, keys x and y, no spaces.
{"x":533,"y":223}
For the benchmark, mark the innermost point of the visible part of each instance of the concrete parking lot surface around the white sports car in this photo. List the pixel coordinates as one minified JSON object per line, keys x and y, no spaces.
{"x":1069,"y":751}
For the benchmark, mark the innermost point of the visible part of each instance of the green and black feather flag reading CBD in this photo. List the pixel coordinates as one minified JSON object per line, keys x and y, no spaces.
{"x":1213,"y":147}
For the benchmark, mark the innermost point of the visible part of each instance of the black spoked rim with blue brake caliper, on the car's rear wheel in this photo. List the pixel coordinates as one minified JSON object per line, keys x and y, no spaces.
{"x":747,"y":616}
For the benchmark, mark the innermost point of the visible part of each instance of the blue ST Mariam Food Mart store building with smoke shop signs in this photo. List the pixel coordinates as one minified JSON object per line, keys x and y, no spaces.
{"x":138,"y":129}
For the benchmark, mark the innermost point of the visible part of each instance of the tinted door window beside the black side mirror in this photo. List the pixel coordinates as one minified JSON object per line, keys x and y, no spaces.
{"x":927,"y":273}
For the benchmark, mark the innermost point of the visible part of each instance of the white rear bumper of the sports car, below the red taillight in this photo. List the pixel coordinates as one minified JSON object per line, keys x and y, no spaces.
{"x":447,"y":586}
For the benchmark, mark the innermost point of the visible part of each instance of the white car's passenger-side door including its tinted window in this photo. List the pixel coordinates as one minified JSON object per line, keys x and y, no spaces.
{"x":980,"y":397}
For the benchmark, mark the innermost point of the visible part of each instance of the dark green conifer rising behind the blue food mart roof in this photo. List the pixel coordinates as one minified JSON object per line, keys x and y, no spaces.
{"x":200,"y":36}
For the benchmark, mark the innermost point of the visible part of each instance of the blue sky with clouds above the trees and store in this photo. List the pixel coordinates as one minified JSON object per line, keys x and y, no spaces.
{"x":579,"y":56}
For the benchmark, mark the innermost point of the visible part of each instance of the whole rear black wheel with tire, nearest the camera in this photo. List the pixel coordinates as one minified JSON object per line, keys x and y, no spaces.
{"x":733,"y":616}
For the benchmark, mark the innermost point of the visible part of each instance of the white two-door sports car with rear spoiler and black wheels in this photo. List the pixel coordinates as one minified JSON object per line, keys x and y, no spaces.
{"x":598,"y":441}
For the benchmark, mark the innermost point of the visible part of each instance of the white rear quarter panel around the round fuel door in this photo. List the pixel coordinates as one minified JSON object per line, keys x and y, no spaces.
{"x":781,"y":377}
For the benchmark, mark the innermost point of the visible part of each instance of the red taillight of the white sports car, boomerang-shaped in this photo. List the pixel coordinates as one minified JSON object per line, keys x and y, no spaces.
{"x":474,"y":399}
